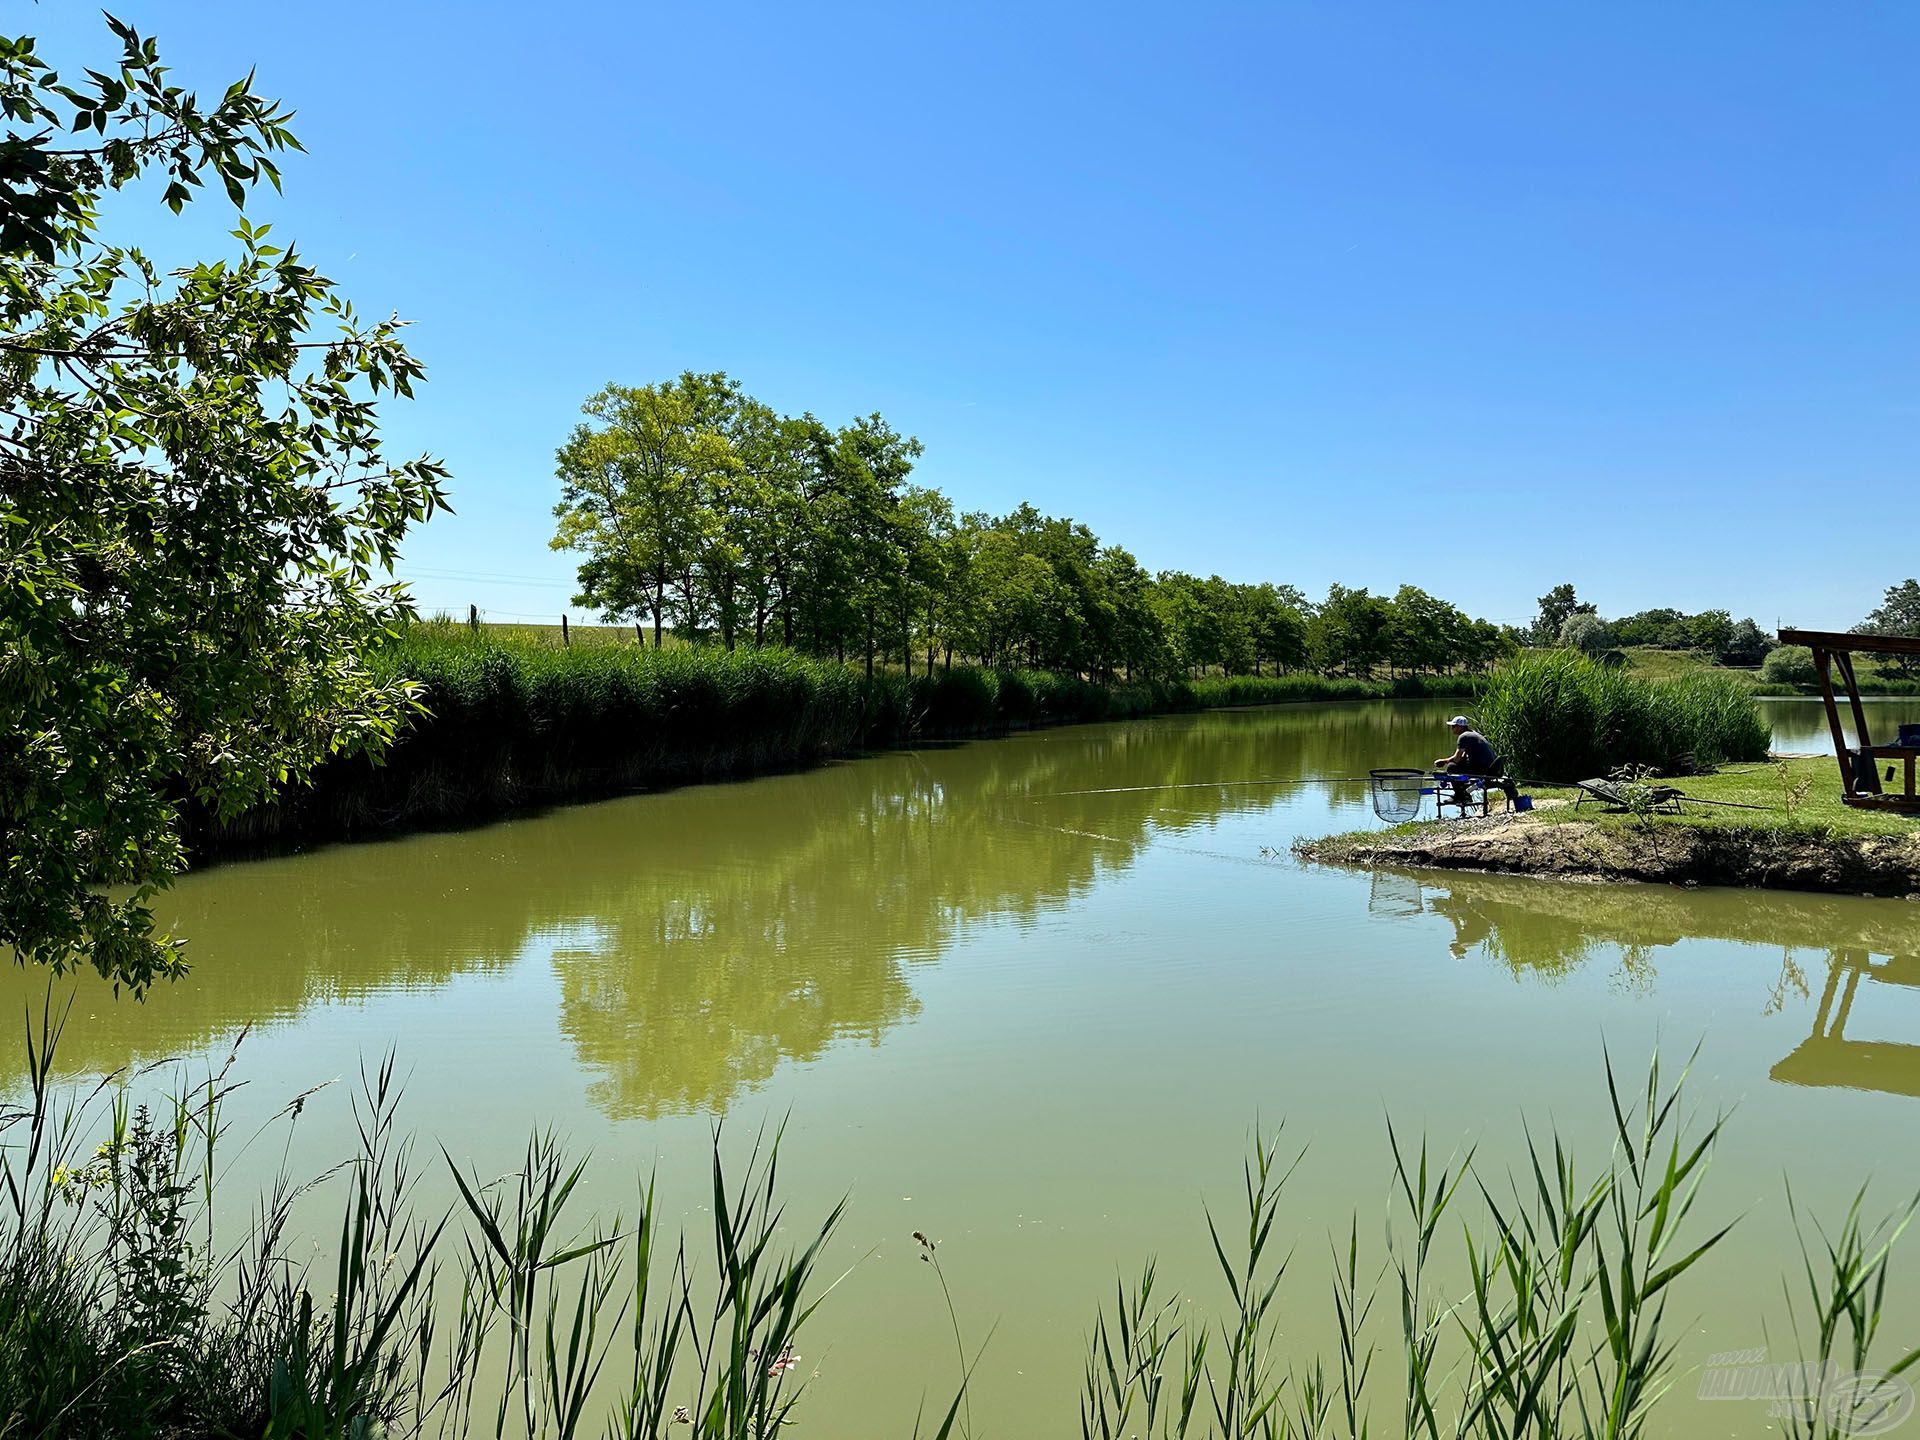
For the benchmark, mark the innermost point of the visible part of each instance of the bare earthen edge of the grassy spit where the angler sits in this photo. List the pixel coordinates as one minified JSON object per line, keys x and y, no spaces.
{"x":1585,"y":852}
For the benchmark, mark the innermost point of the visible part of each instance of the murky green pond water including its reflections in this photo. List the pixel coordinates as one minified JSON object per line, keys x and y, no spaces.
{"x":1032,"y":997}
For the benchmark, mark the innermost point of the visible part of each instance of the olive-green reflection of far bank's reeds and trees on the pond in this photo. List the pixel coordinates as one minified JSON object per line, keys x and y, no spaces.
{"x":704,"y":936}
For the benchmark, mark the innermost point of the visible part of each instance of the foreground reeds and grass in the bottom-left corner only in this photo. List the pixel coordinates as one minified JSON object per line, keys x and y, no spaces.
{"x":128,"y":1312}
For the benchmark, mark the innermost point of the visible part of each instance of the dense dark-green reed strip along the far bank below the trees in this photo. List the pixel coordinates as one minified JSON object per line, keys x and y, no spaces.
{"x":517,"y":719}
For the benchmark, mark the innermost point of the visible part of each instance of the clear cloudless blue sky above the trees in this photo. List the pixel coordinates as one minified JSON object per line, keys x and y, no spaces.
{"x":1259,"y":291}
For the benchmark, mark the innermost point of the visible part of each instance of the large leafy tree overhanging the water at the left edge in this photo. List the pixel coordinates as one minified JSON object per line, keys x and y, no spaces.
{"x":195,"y":506}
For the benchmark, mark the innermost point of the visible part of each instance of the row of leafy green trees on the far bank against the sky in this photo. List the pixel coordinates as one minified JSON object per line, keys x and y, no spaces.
{"x":700,"y":510}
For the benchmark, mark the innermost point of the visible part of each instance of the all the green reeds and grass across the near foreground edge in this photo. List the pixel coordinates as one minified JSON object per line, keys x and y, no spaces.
{"x":1512,"y":1305}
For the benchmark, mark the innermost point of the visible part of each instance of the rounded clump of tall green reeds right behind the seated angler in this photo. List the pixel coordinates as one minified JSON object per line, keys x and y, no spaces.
{"x":1560,"y":715}
